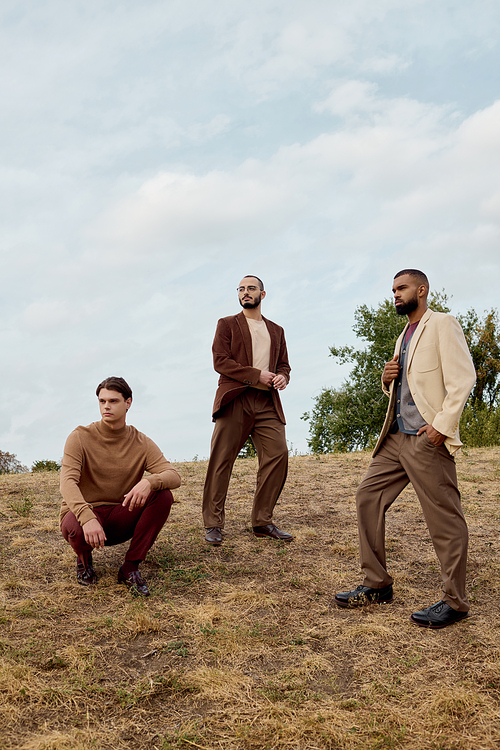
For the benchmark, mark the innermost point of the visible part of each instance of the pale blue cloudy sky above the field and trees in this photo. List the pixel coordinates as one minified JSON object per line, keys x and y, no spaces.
{"x":154,"y":153}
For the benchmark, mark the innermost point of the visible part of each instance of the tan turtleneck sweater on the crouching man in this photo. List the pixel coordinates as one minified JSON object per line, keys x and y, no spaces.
{"x":101,"y":465}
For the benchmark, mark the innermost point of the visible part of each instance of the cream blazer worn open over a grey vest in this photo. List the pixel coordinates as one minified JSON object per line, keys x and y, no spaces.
{"x":440,"y":373}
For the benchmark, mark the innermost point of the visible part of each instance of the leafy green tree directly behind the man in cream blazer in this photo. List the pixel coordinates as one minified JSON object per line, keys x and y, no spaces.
{"x":350,"y":417}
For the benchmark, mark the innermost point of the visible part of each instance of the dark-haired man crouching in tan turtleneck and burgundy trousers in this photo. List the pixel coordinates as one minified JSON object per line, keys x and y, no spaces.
{"x":106,"y":498}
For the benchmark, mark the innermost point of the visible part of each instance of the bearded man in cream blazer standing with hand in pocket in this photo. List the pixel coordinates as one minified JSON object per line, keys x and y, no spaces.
{"x":428,"y":382}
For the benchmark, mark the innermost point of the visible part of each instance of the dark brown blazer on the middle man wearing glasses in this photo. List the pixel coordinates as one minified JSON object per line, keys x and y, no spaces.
{"x":232,"y":351}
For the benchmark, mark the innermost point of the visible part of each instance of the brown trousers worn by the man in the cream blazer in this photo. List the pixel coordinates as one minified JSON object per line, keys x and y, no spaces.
{"x":409,"y":458}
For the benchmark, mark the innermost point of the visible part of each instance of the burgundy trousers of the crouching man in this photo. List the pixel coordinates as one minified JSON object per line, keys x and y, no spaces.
{"x":141,"y":525}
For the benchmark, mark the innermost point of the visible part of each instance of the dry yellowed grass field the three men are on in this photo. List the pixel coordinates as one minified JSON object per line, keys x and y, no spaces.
{"x":241,"y":646}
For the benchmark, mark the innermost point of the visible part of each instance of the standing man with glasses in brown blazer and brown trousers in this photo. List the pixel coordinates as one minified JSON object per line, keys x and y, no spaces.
{"x":251,"y":358}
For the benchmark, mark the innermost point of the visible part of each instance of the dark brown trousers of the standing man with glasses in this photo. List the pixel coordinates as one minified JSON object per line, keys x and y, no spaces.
{"x":252,"y":413}
